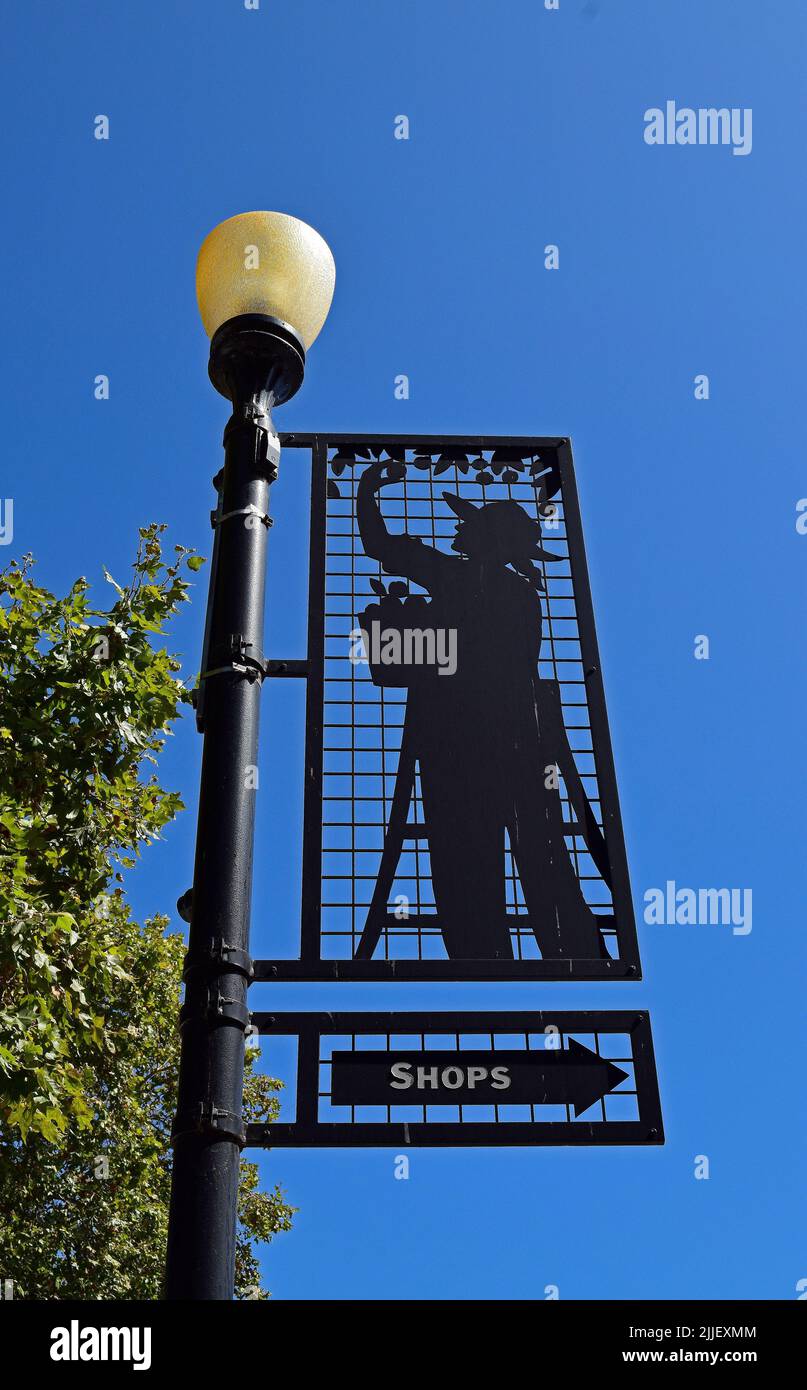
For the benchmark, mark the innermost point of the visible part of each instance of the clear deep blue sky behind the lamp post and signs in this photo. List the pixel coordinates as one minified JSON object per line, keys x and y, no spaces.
{"x":527,"y":129}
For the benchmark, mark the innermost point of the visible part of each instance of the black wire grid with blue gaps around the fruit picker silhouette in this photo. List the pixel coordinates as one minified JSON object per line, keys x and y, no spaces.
{"x":363,"y":722}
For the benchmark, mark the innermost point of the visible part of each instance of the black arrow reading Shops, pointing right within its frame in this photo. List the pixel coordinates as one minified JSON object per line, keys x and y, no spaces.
{"x":574,"y":1077}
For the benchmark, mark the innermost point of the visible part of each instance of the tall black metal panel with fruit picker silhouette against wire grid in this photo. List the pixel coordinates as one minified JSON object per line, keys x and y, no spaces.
{"x":462,"y":817}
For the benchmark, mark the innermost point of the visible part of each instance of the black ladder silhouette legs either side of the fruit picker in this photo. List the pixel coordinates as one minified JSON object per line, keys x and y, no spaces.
{"x":401,"y":828}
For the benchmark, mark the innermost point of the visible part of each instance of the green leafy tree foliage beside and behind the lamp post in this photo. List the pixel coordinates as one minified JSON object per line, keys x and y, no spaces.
{"x":88,"y":997}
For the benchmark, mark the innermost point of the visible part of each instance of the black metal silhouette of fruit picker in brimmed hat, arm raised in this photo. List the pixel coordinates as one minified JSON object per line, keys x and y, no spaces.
{"x":487,"y":736}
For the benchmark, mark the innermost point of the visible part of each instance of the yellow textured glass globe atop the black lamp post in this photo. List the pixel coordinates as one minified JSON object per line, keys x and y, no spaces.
{"x":266,"y":263}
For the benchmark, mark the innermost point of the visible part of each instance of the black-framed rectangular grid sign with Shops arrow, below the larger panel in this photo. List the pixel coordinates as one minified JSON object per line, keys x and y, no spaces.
{"x":466,"y":1079}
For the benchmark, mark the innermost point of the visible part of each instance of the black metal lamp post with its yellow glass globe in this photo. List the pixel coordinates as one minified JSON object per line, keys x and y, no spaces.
{"x":265,"y":284}
